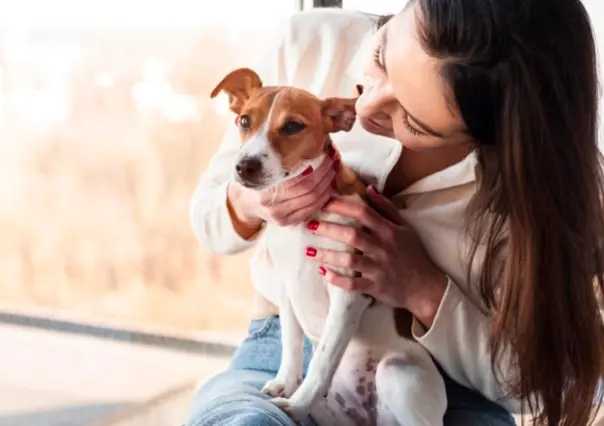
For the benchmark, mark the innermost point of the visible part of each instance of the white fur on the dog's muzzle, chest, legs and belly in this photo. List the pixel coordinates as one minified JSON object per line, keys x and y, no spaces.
{"x":367,"y":373}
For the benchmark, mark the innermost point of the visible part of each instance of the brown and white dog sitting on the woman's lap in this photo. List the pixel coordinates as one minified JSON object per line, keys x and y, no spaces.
{"x":362,"y":370}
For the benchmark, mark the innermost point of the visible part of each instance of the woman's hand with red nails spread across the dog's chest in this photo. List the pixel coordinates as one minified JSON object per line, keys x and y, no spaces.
{"x":394,"y":266}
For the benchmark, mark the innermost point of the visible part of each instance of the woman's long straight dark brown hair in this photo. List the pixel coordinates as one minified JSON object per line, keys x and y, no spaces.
{"x":522,"y":73}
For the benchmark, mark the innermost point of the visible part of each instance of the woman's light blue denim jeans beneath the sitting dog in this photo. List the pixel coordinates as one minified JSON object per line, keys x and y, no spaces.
{"x":233,"y":397}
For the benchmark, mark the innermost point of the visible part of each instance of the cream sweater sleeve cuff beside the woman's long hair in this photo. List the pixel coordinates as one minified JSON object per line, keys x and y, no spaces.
{"x":459,"y":340}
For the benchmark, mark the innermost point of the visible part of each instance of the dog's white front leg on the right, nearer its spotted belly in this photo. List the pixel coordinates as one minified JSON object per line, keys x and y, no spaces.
{"x":345,"y":312}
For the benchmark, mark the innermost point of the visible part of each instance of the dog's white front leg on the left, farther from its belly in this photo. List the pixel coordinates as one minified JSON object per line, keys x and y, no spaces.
{"x":289,"y":375}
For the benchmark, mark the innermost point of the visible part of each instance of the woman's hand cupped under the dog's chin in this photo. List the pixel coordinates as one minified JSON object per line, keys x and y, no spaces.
{"x":294,"y":201}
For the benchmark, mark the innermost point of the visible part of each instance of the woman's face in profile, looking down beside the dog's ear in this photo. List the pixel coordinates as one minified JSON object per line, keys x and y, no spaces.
{"x":404,"y":96}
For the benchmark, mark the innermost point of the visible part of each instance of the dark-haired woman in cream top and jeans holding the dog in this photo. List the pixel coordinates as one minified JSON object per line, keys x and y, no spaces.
{"x":497,"y":235}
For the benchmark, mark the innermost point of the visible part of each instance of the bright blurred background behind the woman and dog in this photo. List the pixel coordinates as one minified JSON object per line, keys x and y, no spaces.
{"x":105,"y":126}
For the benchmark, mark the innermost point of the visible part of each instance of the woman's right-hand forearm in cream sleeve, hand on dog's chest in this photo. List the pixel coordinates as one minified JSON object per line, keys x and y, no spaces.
{"x":395,"y":269}
